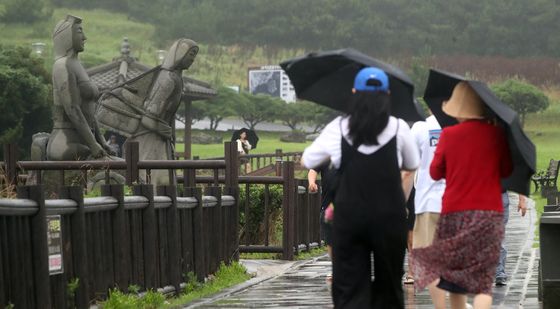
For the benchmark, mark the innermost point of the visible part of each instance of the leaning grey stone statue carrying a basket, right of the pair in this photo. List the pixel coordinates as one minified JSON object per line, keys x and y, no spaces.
{"x":143,"y":109}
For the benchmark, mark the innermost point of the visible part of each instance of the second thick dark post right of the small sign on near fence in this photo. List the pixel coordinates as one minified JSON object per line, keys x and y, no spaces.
{"x":121,"y":261}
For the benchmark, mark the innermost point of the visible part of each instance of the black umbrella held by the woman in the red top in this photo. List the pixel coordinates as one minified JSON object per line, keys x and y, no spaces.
{"x":523,"y":153}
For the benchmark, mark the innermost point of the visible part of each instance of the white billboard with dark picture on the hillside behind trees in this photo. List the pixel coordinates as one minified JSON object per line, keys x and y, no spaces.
{"x":271,"y":80}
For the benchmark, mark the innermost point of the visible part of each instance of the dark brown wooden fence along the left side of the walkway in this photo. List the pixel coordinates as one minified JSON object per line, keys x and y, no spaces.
{"x":150,"y":239}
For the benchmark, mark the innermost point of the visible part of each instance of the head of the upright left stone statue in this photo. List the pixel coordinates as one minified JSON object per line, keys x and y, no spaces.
{"x":68,"y":37}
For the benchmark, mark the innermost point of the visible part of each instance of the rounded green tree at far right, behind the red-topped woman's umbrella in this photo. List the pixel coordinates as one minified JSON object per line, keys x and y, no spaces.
{"x":523,"y":97}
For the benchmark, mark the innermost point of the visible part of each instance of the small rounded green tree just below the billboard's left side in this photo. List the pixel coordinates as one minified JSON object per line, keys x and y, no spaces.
{"x":254,"y":109}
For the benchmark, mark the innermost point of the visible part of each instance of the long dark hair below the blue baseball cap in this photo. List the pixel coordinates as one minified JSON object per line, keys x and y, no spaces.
{"x":369,"y":115}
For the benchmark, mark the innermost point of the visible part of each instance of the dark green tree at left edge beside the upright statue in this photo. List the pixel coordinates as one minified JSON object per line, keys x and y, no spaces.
{"x":26,"y":97}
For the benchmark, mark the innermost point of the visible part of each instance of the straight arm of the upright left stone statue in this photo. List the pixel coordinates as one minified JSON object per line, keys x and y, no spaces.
{"x":66,"y":85}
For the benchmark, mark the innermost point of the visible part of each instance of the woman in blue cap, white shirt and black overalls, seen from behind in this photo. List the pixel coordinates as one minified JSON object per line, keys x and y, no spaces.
{"x":370,"y":149}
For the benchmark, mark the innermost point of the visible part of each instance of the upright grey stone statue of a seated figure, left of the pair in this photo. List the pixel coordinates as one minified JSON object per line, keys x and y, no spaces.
{"x":76,"y":134}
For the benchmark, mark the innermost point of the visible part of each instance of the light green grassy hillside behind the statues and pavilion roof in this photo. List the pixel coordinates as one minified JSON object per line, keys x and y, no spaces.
{"x":105,"y":30}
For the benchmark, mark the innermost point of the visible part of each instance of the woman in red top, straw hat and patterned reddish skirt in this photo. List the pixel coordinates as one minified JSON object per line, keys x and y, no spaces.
{"x":472,"y":157}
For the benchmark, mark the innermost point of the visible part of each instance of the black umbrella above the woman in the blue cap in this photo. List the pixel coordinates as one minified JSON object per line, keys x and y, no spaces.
{"x":327,"y":78}
